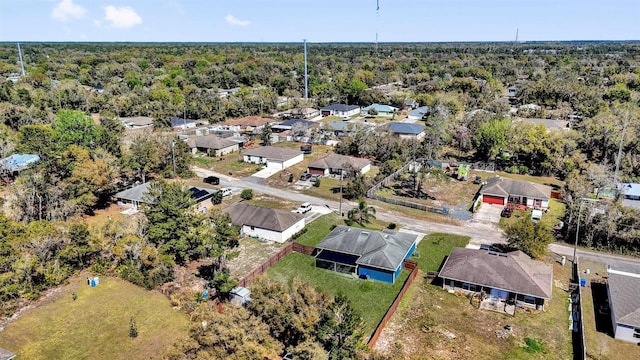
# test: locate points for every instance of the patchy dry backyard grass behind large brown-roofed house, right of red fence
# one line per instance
(433, 324)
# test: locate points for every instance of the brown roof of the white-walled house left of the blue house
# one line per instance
(261, 217)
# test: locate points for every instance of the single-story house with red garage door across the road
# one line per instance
(499, 190)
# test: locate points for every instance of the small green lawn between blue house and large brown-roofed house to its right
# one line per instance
(434, 247)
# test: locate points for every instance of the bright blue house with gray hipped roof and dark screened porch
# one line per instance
(378, 255)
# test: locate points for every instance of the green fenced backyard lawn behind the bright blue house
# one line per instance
(371, 298)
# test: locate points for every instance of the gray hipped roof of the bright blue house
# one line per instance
(385, 250)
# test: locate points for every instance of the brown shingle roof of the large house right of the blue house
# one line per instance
(514, 271)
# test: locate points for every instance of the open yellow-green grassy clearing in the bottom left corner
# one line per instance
(96, 324)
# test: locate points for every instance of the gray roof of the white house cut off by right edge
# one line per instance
(624, 292)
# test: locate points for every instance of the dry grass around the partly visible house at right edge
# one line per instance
(600, 345)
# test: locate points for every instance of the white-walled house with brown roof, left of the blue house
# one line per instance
(265, 223)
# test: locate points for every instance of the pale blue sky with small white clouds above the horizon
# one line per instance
(317, 21)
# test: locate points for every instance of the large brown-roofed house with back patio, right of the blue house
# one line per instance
(510, 276)
